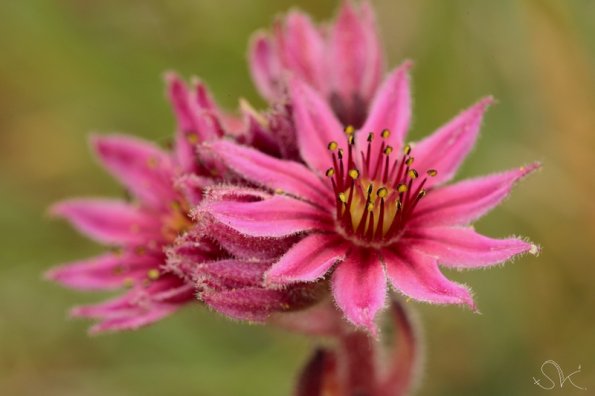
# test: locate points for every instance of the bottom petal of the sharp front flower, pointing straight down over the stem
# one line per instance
(359, 288)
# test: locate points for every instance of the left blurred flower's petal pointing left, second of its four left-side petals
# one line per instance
(109, 221)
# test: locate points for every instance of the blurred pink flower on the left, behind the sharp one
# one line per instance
(164, 186)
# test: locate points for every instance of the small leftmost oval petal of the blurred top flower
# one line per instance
(264, 66)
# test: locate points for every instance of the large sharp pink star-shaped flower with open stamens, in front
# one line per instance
(370, 208)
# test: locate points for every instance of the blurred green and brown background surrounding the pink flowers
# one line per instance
(69, 67)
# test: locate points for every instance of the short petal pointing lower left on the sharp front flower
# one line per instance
(308, 259)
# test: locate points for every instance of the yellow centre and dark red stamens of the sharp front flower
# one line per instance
(375, 199)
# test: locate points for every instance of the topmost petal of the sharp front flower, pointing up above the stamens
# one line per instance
(390, 109)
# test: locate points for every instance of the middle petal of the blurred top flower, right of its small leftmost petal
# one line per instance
(302, 49)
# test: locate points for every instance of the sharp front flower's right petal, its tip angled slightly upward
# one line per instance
(463, 202)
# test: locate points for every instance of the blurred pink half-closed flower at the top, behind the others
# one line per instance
(343, 61)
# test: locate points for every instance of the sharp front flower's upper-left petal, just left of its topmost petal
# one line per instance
(316, 124)
